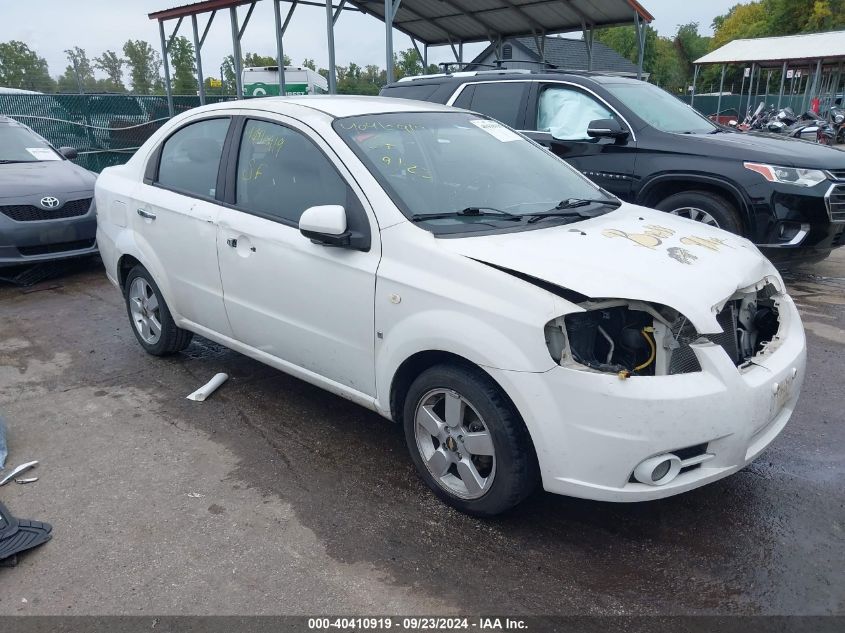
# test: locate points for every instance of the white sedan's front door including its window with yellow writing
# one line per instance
(307, 304)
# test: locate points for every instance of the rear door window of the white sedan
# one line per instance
(190, 158)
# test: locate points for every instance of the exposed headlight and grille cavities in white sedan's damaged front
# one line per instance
(635, 338)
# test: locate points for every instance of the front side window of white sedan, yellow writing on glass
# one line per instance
(281, 173)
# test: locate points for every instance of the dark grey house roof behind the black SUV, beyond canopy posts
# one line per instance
(563, 52)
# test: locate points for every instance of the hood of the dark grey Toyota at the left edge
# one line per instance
(51, 177)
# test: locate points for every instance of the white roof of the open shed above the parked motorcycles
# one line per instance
(811, 46)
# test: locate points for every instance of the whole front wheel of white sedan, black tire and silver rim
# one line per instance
(467, 441)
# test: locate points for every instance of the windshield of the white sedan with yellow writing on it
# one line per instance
(437, 163)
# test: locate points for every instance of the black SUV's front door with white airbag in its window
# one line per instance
(558, 118)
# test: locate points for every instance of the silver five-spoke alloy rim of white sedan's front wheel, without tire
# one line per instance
(455, 443)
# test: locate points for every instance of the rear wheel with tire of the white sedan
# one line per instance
(151, 320)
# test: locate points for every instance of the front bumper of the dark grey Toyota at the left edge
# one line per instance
(34, 241)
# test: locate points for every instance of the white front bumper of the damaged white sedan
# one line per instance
(591, 430)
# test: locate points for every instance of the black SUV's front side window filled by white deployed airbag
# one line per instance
(565, 113)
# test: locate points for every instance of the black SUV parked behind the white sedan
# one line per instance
(647, 147)
